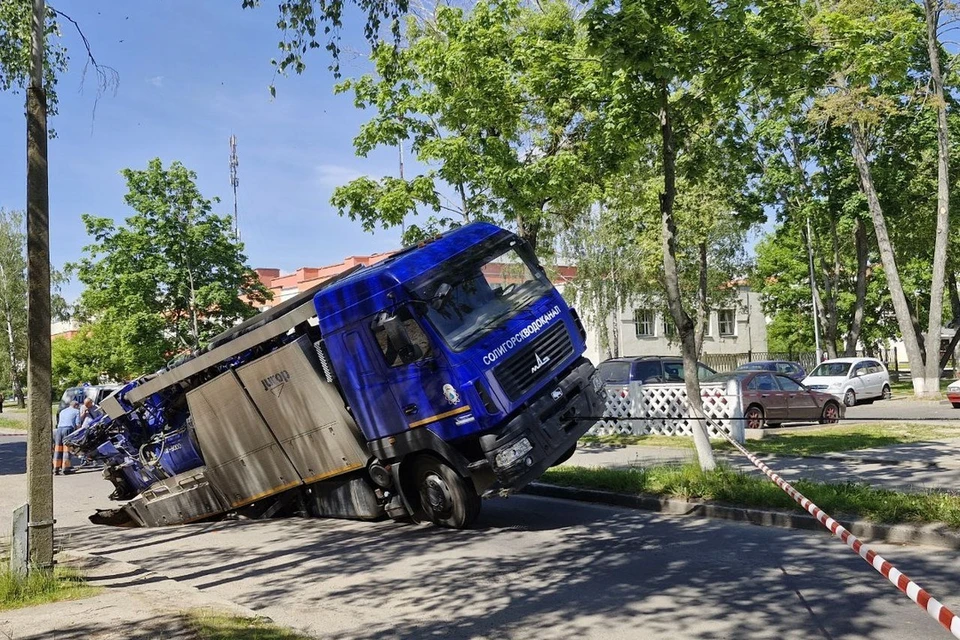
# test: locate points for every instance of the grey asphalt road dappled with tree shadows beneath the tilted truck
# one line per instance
(531, 568)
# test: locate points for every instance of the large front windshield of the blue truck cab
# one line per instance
(472, 293)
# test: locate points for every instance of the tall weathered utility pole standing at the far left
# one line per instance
(39, 463)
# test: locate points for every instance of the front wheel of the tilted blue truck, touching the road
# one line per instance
(446, 499)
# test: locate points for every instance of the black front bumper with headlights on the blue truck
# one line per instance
(549, 427)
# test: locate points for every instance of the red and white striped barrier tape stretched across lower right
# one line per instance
(924, 600)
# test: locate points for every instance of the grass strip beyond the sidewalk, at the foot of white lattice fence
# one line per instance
(805, 443)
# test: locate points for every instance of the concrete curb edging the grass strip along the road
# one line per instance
(934, 535)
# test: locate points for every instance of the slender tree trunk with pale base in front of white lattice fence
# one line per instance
(671, 278)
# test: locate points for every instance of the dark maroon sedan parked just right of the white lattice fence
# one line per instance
(773, 398)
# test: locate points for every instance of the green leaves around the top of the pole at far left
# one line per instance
(15, 26)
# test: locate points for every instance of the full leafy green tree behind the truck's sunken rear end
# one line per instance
(169, 279)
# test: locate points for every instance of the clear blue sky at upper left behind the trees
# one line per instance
(192, 73)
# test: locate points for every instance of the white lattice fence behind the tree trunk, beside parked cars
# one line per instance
(662, 409)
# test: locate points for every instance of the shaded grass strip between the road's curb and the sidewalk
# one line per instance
(730, 487)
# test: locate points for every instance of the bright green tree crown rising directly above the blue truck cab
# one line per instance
(498, 103)
